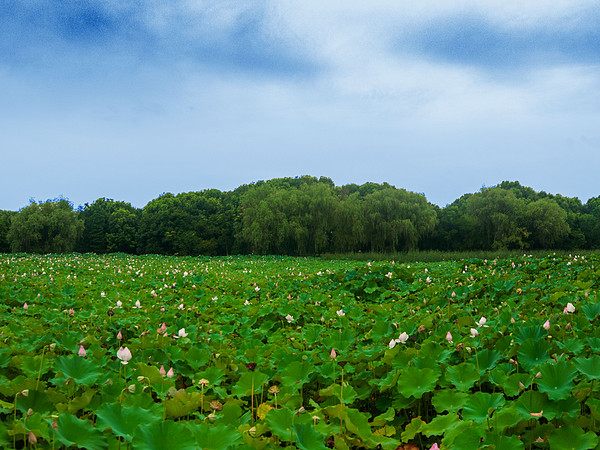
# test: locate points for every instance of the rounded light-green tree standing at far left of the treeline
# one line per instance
(50, 227)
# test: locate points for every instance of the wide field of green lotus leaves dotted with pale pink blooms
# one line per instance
(151, 352)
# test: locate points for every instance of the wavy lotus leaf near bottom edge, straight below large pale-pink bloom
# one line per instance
(123, 420)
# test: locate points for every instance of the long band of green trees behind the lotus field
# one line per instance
(306, 216)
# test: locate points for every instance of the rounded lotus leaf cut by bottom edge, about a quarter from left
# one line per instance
(162, 435)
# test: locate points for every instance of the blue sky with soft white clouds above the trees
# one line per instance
(128, 100)
